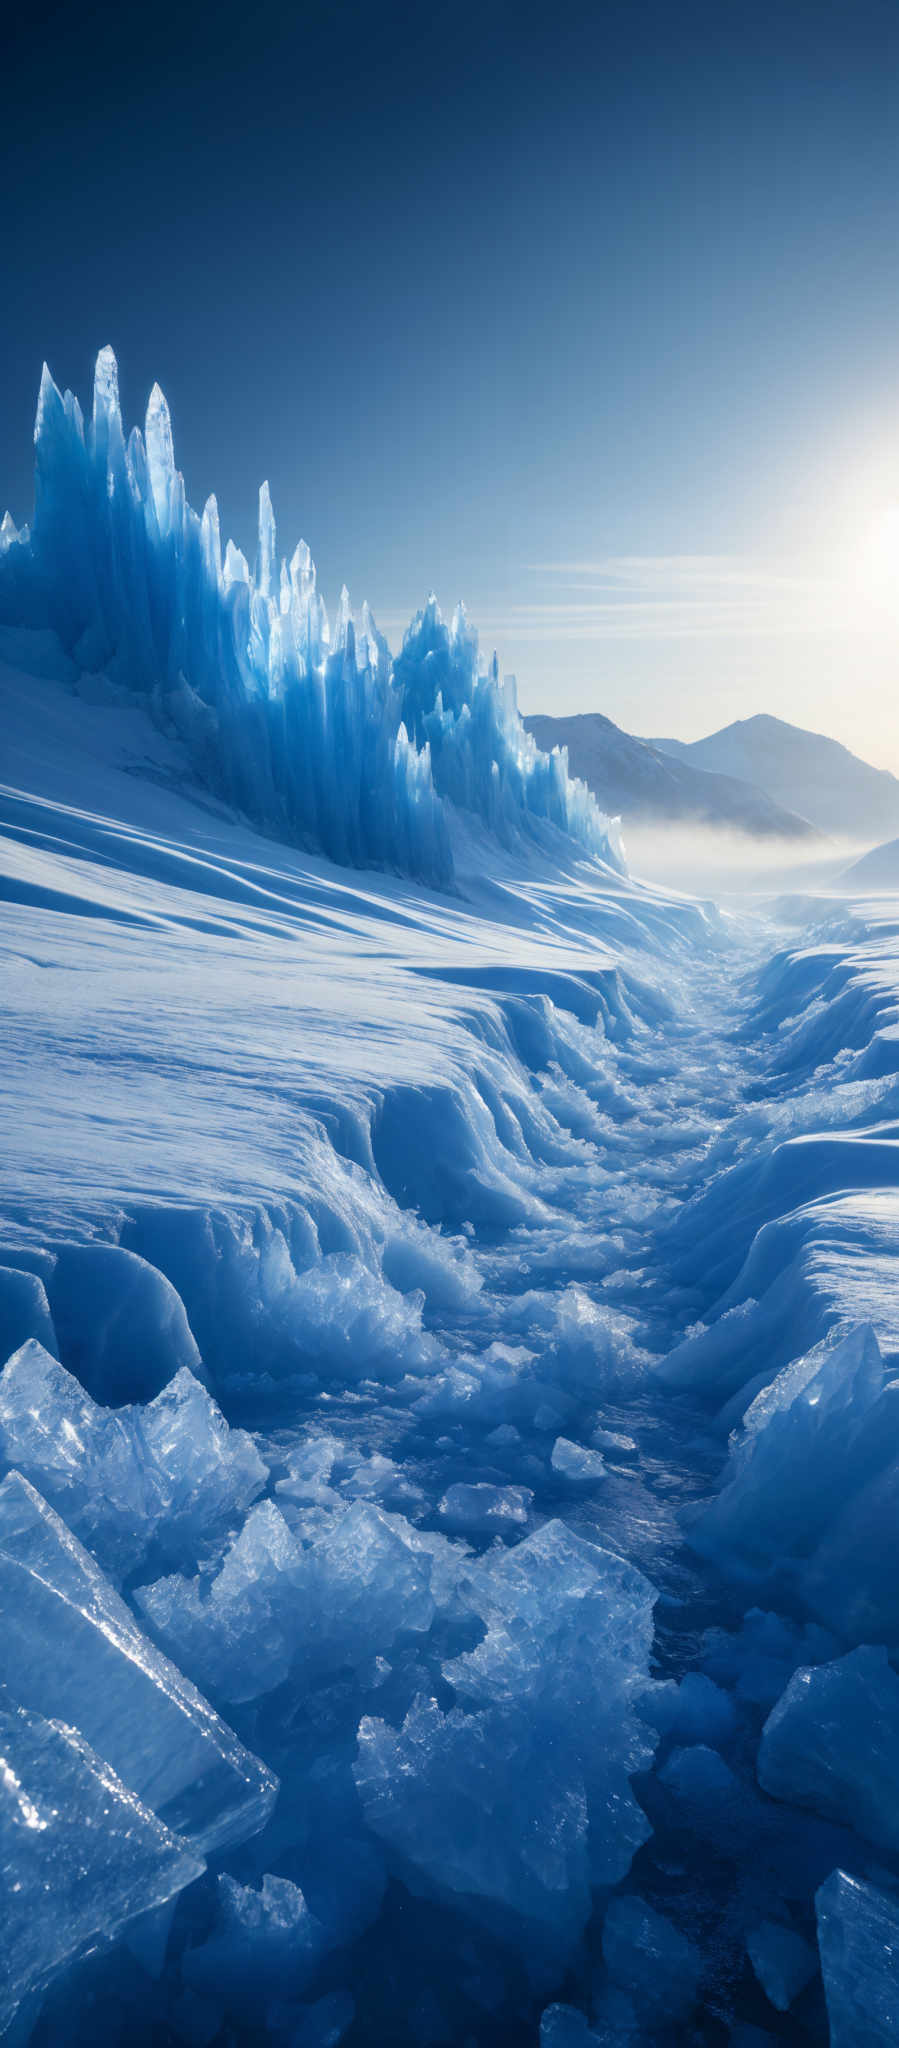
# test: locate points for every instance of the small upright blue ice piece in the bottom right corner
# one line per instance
(859, 1945)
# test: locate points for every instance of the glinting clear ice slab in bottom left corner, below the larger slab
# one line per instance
(79, 1854)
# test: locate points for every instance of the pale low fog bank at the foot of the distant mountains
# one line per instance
(716, 863)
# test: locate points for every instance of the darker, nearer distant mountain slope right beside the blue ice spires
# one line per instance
(648, 785)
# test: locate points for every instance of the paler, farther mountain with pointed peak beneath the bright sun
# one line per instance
(802, 771)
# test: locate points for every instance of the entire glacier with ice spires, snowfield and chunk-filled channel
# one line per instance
(449, 1465)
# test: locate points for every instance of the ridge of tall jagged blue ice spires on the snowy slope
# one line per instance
(318, 738)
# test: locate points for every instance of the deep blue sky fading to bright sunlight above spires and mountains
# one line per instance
(495, 288)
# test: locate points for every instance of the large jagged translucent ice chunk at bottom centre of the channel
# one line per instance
(525, 1797)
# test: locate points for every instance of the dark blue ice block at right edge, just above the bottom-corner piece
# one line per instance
(832, 1744)
